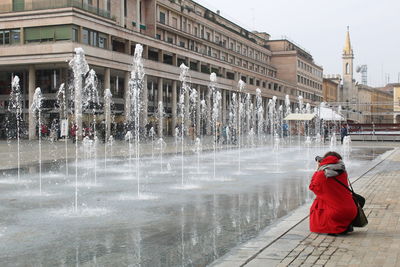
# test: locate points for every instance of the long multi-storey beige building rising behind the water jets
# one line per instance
(38, 37)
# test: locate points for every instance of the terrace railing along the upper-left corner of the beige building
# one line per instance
(51, 4)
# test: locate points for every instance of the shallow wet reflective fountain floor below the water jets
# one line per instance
(168, 225)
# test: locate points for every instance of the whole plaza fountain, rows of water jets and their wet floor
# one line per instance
(210, 221)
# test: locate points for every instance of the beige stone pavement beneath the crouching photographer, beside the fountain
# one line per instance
(290, 242)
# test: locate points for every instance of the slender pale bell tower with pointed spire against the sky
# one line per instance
(349, 92)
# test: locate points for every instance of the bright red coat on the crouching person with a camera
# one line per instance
(333, 208)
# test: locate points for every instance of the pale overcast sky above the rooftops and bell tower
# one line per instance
(319, 26)
